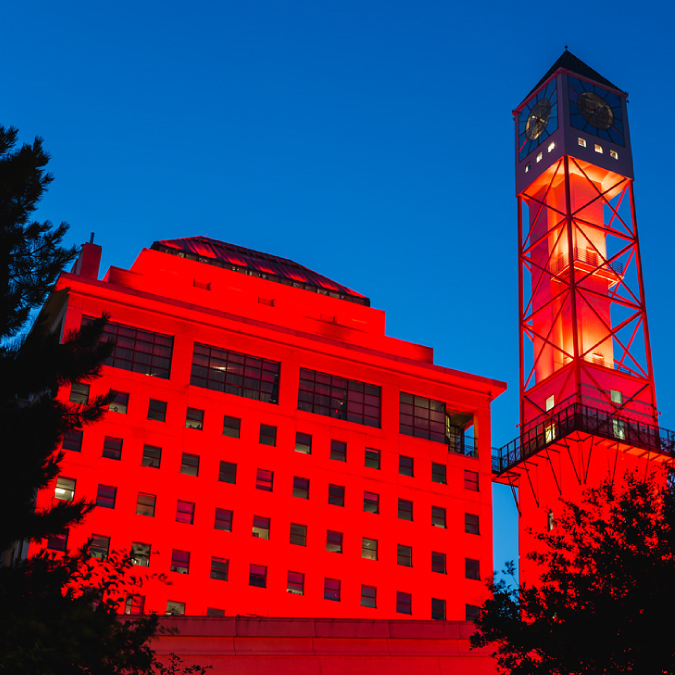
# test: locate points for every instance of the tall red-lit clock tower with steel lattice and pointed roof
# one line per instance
(587, 400)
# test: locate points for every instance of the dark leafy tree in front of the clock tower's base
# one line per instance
(606, 588)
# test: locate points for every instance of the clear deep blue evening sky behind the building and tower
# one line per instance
(371, 141)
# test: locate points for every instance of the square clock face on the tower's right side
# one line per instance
(596, 111)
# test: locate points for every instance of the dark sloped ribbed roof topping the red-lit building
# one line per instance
(255, 263)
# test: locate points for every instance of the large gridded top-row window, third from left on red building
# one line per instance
(339, 397)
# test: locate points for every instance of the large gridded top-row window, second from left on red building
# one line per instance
(234, 373)
